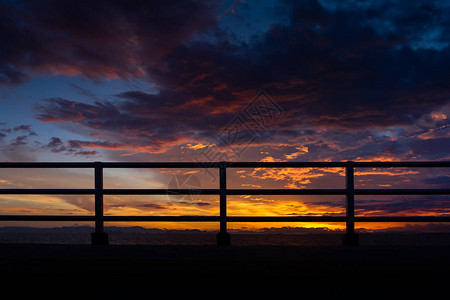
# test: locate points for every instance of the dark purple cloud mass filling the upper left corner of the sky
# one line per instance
(97, 39)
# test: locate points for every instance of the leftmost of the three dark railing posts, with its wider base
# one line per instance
(99, 237)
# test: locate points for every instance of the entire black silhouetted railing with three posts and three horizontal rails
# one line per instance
(223, 238)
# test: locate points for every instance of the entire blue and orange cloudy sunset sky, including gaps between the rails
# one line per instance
(316, 80)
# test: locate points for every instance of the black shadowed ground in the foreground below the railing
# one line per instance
(179, 270)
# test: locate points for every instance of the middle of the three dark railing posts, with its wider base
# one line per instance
(223, 237)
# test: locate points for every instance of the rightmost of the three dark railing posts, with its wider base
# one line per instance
(350, 238)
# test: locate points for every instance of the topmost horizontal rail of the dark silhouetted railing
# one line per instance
(343, 164)
